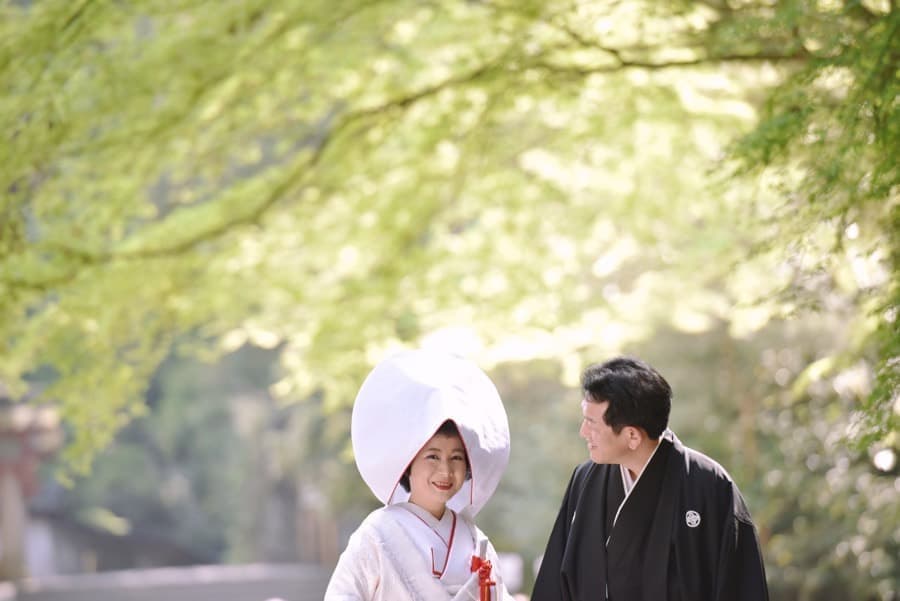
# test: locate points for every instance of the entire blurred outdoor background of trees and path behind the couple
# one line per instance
(216, 217)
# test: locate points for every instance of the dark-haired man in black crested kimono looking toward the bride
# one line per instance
(646, 519)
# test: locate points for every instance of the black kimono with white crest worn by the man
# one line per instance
(684, 534)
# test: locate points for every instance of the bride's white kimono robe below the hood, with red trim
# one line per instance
(389, 558)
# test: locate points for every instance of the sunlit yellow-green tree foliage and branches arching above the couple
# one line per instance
(521, 180)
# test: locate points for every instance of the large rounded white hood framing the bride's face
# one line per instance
(401, 404)
